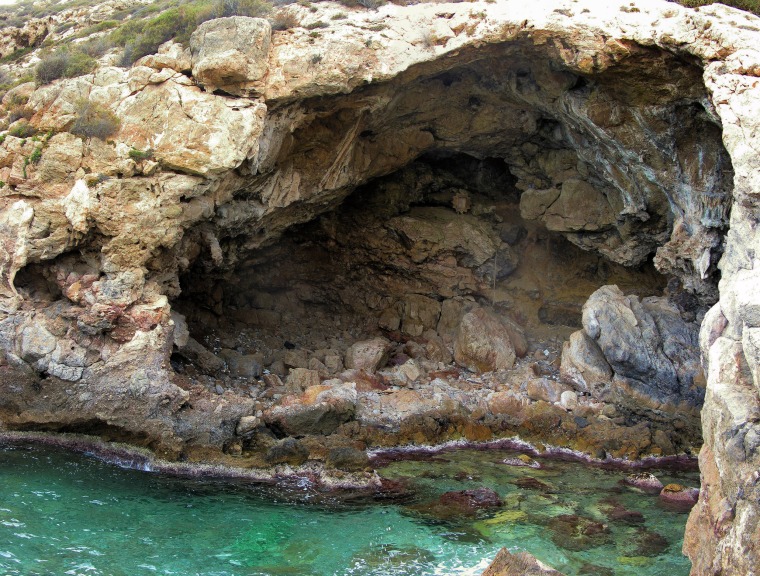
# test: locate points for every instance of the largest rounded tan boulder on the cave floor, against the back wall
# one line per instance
(482, 343)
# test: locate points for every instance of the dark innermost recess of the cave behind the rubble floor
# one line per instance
(401, 258)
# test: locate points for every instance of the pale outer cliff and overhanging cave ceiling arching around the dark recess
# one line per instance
(585, 104)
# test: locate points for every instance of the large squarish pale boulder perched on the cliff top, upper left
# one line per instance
(231, 54)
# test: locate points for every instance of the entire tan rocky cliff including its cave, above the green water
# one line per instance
(401, 213)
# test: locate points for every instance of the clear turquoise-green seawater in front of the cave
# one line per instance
(67, 514)
